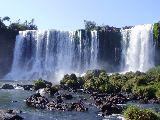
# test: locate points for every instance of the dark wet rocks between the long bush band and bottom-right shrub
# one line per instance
(108, 104)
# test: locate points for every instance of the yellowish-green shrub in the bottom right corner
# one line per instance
(135, 113)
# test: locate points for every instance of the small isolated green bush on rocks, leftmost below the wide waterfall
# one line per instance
(39, 83)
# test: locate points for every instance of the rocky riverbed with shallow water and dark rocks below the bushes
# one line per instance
(71, 104)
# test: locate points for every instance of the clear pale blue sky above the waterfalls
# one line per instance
(70, 14)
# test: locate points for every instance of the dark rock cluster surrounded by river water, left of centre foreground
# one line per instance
(38, 101)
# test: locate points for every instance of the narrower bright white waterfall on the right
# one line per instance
(137, 48)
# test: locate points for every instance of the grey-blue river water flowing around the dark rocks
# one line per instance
(29, 113)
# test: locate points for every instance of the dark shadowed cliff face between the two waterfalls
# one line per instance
(110, 50)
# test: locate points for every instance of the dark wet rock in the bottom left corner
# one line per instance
(10, 115)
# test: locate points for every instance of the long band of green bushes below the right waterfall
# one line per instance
(139, 83)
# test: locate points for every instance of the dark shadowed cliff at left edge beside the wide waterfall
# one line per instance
(7, 43)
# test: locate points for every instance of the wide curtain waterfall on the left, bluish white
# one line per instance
(45, 53)
